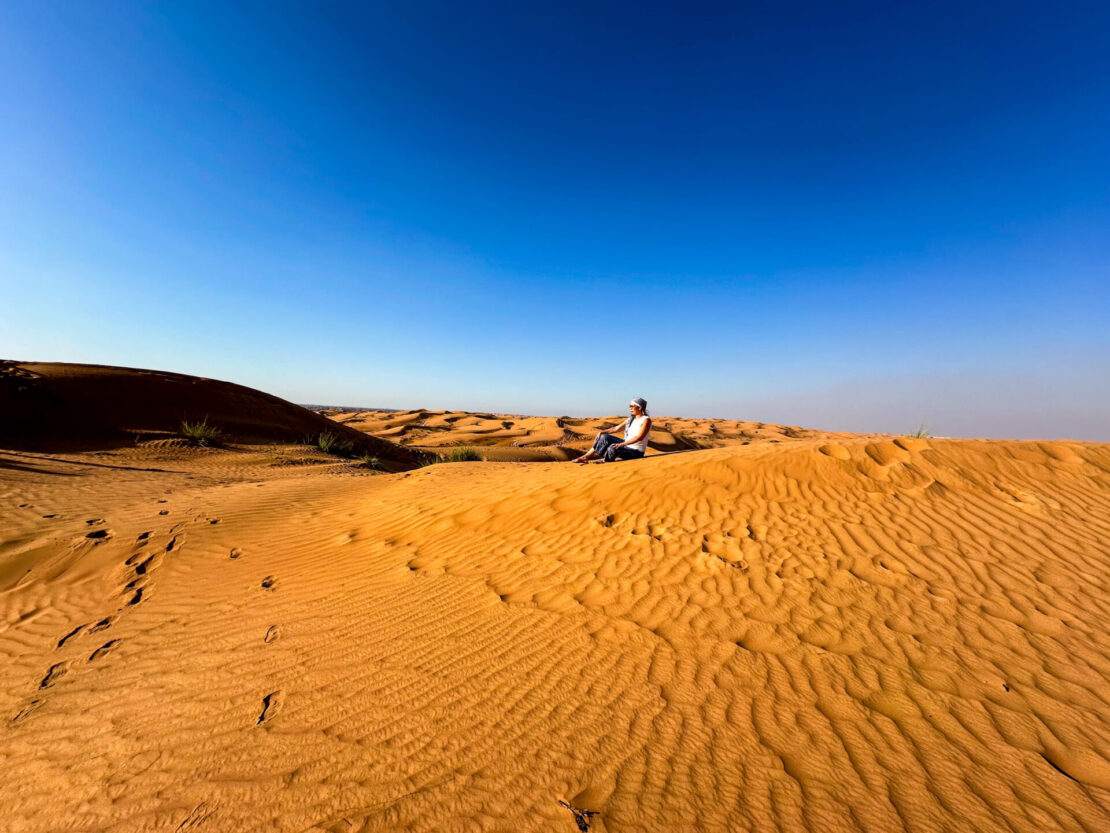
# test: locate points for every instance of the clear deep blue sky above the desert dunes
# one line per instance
(844, 216)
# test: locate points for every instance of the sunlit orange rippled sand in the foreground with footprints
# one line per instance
(813, 636)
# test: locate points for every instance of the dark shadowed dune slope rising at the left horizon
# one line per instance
(59, 406)
